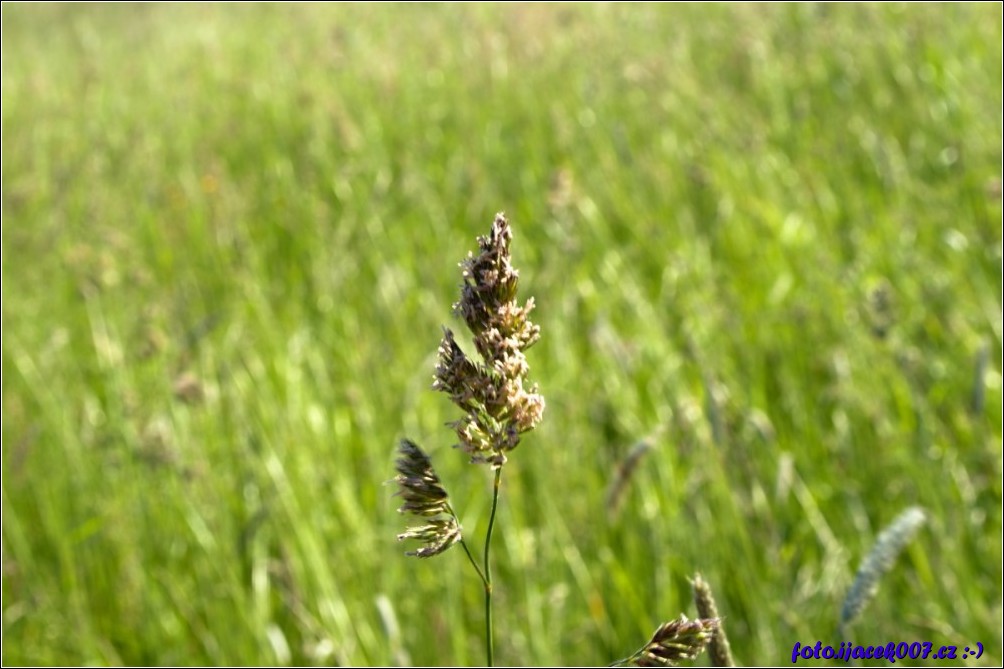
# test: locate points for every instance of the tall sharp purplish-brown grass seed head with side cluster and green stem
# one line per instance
(498, 407)
